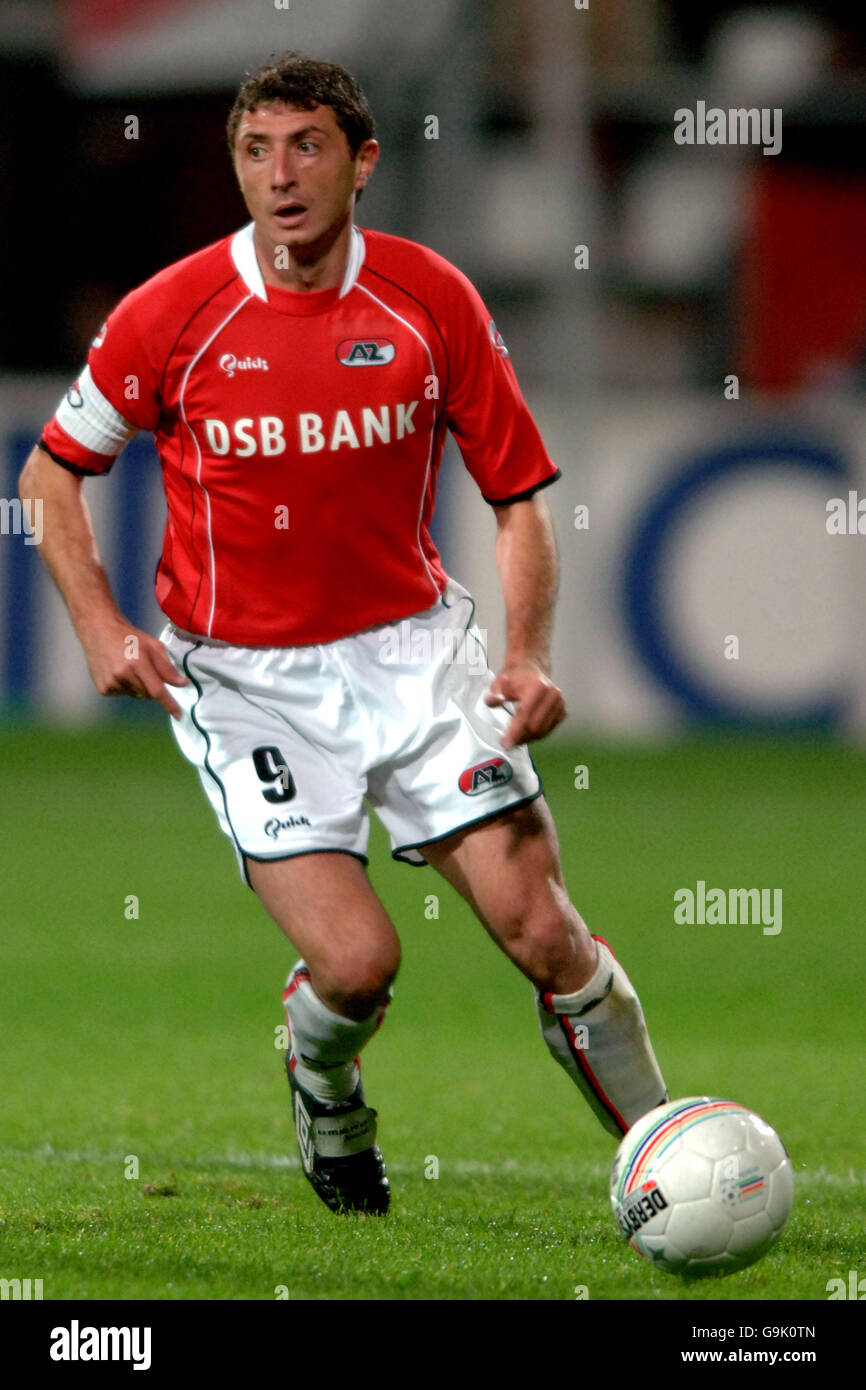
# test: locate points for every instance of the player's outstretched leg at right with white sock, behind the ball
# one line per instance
(509, 872)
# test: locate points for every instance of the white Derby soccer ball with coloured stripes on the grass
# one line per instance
(701, 1186)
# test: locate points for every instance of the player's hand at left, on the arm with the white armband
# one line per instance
(124, 661)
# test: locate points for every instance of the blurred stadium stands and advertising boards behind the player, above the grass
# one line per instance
(707, 515)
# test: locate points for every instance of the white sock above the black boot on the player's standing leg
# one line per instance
(325, 1045)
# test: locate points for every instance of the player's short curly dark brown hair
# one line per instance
(305, 83)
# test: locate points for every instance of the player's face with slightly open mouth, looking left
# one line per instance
(297, 173)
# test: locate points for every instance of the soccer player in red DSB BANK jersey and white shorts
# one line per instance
(300, 377)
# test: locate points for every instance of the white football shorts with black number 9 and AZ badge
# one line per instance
(291, 740)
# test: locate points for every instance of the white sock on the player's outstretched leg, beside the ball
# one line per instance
(598, 1035)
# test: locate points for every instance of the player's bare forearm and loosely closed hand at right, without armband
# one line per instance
(528, 565)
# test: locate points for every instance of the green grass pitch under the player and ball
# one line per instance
(152, 1039)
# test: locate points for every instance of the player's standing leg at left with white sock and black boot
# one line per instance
(336, 1000)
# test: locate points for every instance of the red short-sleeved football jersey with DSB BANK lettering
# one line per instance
(301, 433)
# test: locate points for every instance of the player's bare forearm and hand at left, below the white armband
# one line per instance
(123, 660)
